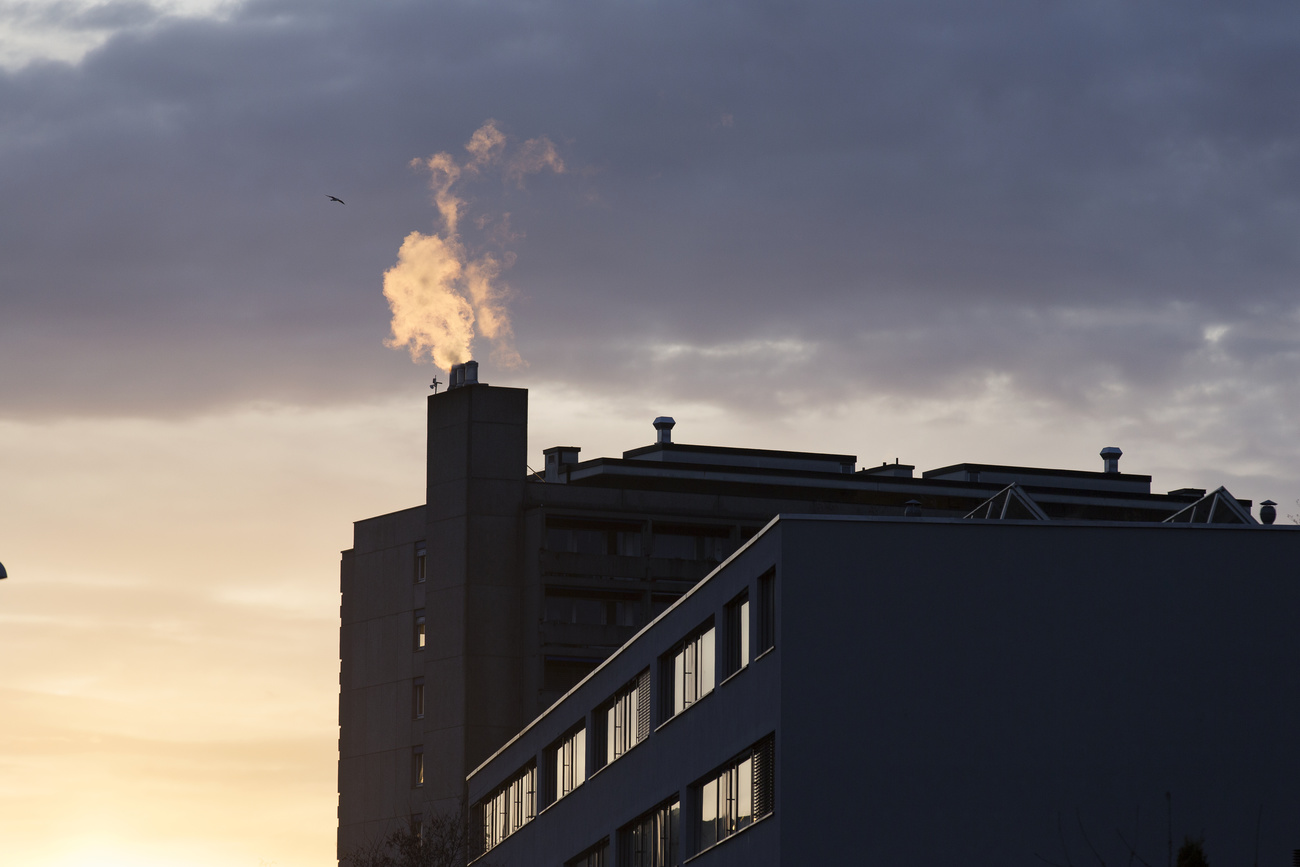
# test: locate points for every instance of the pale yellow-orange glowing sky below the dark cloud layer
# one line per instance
(170, 628)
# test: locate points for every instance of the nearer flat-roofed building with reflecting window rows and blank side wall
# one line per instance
(886, 691)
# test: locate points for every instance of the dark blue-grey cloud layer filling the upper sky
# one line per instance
(908, 197)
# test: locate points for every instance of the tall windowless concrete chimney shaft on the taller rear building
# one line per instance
(475, 667)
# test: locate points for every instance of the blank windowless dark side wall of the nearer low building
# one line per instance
(952, 690)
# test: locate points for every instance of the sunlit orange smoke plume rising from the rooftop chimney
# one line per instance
(441, 294)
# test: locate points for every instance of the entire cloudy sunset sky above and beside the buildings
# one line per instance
(930, 231)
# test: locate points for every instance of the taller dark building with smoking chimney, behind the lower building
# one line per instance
(467, 617)
